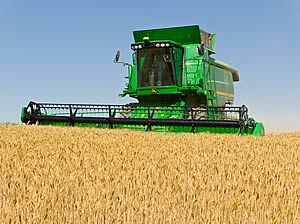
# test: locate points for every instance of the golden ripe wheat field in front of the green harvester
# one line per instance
(80, 175)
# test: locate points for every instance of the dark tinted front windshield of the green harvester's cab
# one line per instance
(155, 67)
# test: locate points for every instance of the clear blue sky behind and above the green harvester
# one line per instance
(62, 50)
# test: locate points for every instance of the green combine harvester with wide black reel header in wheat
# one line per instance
(178, 85)
